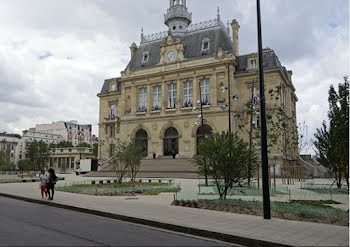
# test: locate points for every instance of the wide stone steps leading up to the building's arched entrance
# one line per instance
(163, 167)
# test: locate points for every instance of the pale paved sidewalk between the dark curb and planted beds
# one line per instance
(156, 211)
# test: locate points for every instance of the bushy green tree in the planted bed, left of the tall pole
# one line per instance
(228, 158)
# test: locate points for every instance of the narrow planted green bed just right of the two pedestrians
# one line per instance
(123, 189)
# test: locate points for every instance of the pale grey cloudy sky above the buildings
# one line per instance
(55, 55)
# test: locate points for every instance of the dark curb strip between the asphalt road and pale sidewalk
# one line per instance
(176, 228)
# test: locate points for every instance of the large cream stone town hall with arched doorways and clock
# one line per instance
(158, 98)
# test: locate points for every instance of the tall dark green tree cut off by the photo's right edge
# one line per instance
(332, 142)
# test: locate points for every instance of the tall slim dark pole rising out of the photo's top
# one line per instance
(264, 156)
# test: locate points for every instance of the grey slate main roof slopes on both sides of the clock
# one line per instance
(192, 47)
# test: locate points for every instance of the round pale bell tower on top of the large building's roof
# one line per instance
(177, 17)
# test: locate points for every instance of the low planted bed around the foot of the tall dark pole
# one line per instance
(311, 211)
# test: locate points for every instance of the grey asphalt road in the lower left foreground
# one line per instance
(28, 224)
